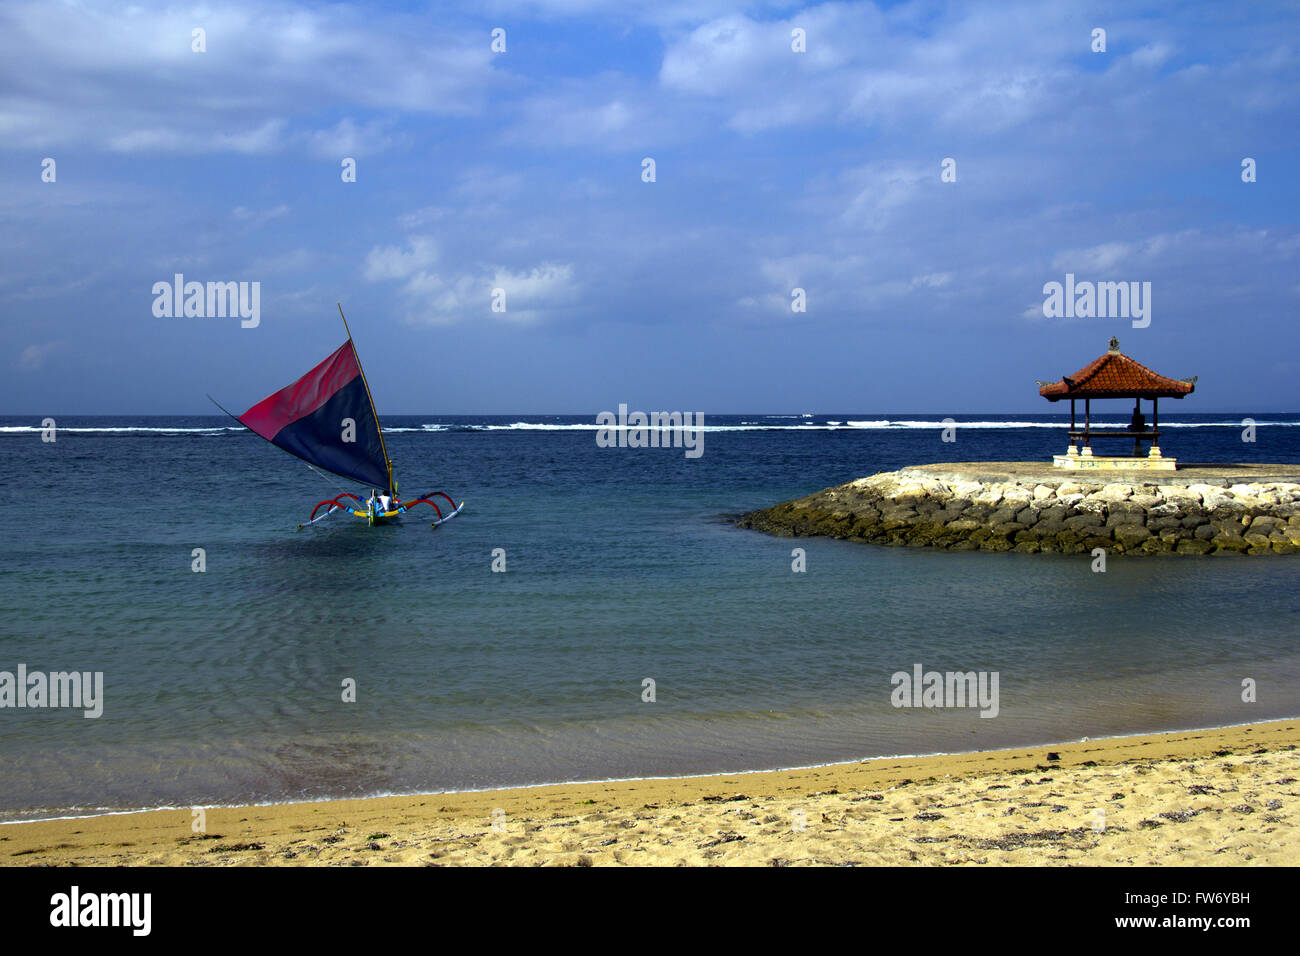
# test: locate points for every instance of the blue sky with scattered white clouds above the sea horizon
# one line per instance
(525, 170)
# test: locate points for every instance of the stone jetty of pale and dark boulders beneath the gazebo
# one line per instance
(1030, 508)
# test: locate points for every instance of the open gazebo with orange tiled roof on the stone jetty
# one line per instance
(1115, 375)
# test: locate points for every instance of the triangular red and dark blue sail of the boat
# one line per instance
(327, 418)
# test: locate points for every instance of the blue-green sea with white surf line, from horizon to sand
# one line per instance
(227, 686)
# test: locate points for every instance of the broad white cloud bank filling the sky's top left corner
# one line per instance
(128, 80)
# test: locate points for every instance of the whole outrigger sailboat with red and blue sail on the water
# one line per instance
(328, 419)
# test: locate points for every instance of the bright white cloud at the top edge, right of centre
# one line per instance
(968, 72)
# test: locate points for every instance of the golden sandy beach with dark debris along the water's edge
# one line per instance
(1219, 798)
